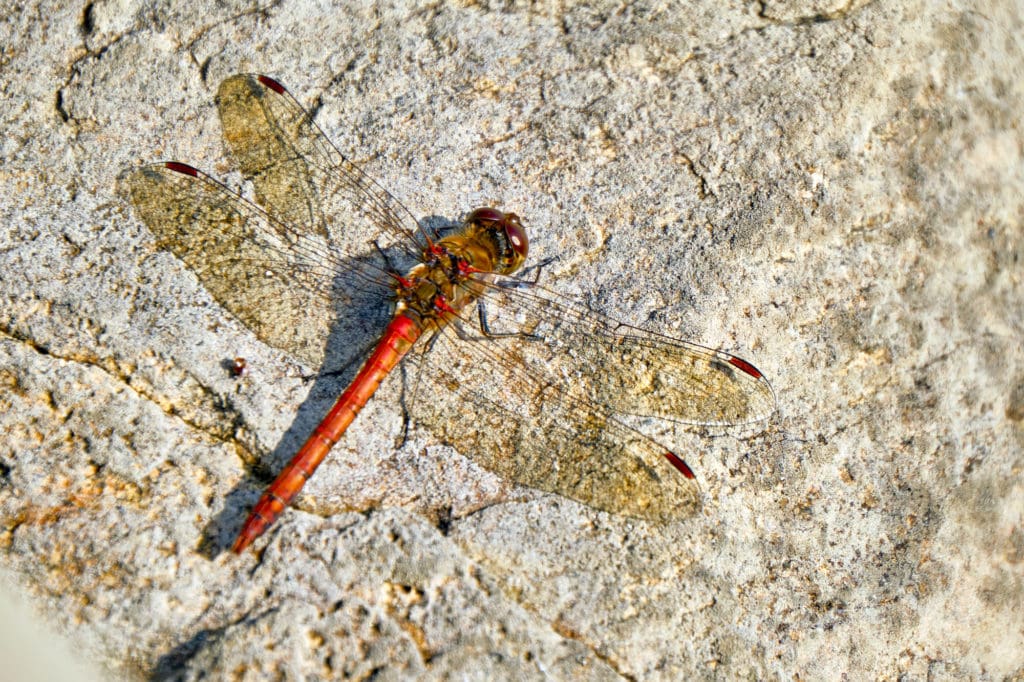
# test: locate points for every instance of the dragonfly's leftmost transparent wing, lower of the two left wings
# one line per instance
(287, 295)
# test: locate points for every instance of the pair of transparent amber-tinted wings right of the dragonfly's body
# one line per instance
(543, 400)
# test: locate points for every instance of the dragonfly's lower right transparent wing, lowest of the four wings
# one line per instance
(511, 422)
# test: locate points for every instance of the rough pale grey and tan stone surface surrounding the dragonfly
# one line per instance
(834, 190)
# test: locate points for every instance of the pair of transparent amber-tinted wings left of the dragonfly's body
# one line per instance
(308, 267)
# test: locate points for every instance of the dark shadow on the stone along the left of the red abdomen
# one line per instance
(363, 310)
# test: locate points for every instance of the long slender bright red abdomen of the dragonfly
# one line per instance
(400, 336)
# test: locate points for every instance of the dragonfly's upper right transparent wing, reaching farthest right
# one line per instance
(629, 370)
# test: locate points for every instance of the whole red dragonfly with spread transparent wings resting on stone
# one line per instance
(533, 387)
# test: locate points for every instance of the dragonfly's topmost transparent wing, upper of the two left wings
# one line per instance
(302, 179)
